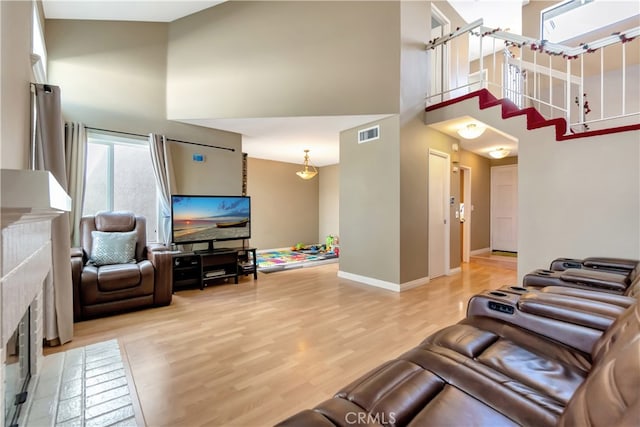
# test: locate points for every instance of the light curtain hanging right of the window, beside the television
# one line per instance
(165, 183)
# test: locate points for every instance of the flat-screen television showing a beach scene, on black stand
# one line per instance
(210, 218)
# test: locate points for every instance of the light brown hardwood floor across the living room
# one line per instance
(254, 353)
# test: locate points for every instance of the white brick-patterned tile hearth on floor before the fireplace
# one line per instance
(83, 387)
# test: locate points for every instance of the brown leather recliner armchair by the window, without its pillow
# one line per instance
(100, 290)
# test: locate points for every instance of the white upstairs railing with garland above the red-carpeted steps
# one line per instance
(589, 85)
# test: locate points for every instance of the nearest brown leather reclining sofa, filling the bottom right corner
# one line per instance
(521, 357)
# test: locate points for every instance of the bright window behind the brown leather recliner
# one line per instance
(120, 177)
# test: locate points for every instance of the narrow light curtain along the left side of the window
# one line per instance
(75, 147)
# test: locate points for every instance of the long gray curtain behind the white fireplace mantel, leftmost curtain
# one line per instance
(49, 155)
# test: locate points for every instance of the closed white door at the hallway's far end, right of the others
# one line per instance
(504, 208)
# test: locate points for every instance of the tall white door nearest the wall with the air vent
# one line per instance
(438, 214)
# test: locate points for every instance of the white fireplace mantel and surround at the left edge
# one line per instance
(29, 201)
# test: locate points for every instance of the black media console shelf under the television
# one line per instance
(200, 269)
